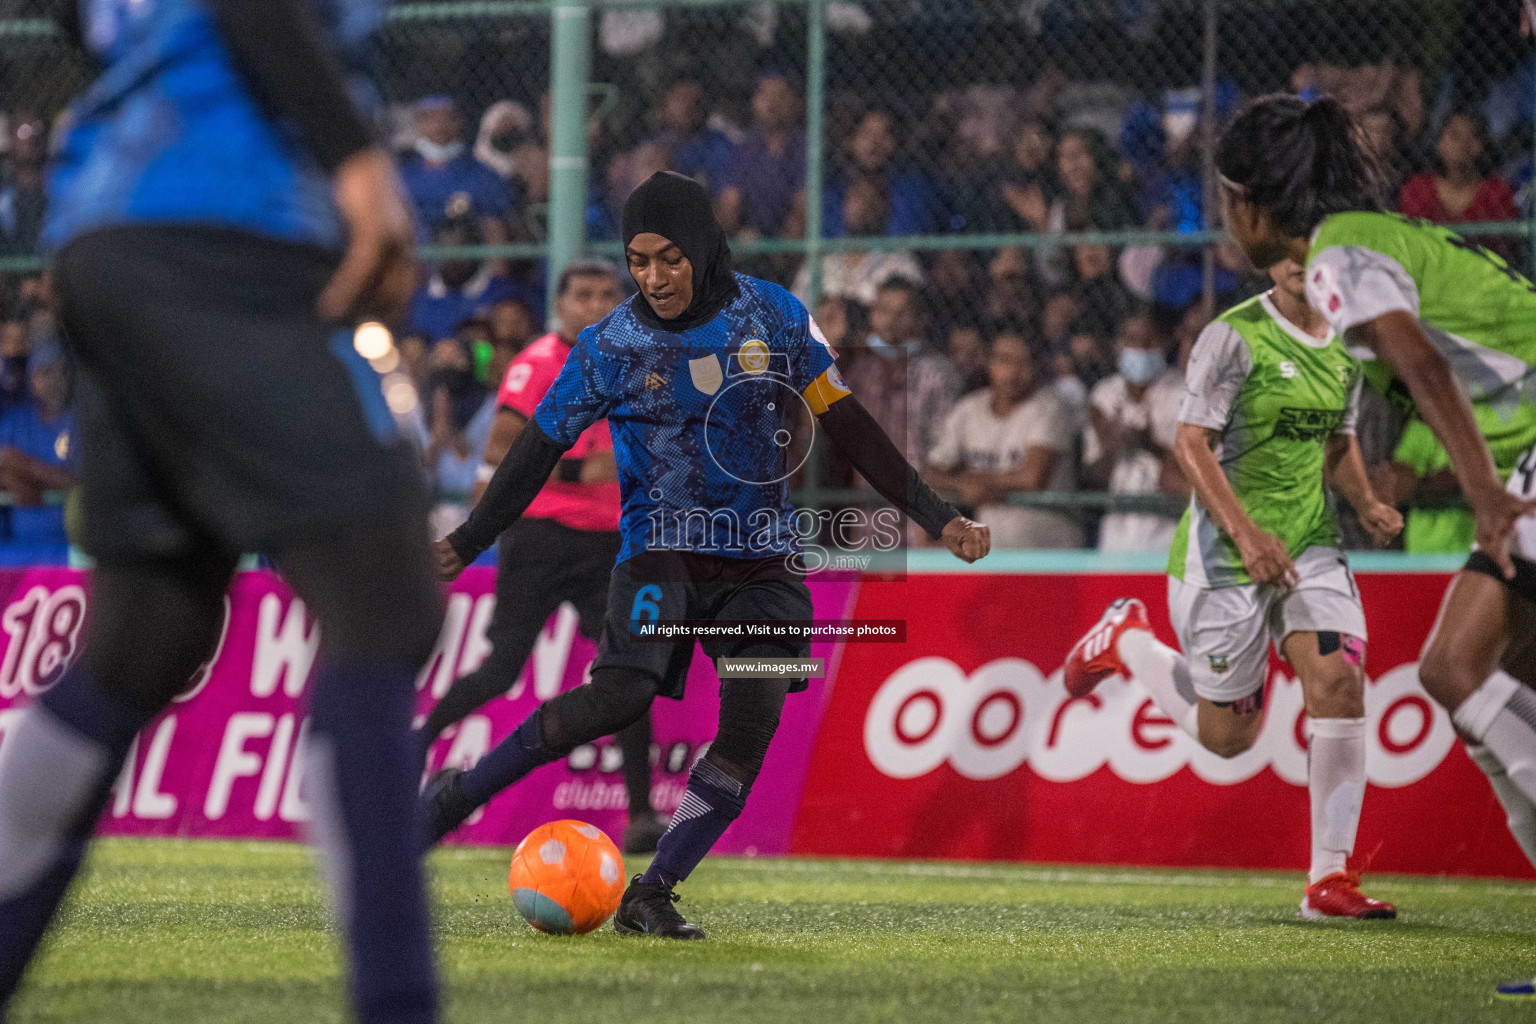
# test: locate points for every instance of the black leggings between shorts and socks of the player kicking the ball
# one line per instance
(750, 710)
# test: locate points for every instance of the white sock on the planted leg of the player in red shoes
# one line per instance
(1337, 785)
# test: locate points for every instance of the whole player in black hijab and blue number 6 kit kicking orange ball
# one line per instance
(698, 375)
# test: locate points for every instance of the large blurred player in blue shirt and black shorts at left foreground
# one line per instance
(222, 217)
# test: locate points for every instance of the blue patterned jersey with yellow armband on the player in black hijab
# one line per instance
(701, 420)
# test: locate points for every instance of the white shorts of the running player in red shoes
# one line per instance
(1226, 632)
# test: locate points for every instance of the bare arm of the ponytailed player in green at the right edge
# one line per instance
(1399, 339)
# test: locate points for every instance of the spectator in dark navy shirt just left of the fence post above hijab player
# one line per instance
(764, 194)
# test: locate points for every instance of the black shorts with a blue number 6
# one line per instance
(677, 586)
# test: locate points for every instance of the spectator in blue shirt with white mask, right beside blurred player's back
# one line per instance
(446, 180)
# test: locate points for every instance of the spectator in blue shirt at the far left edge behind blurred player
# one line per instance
(38, 455)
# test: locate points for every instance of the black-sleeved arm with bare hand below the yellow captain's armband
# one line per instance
(876, 457)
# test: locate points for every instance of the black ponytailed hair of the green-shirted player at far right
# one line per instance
(1299, 160)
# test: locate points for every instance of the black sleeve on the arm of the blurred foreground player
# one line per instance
(279, 50)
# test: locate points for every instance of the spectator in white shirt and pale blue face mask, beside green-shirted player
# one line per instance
(1133, 417)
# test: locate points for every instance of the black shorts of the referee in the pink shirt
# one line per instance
(541, 564)
